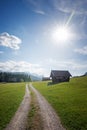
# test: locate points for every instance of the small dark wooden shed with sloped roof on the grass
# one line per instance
(60, 76)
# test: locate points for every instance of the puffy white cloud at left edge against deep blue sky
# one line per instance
(10, 41)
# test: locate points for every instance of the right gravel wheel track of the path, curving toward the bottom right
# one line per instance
(50, 119)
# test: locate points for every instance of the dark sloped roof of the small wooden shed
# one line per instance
(60, 73)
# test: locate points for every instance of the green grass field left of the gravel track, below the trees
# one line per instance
(11, 95)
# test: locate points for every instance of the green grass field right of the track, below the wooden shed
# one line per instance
(69, 100)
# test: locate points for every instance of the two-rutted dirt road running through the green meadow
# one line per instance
(48, 119)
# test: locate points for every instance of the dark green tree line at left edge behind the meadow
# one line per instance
(14, 77)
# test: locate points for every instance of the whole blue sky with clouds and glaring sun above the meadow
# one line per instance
(38, 36)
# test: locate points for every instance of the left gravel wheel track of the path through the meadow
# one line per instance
(19, 121)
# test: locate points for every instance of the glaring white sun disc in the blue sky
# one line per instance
(61, 34)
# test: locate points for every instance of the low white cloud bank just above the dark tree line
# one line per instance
(21, 66)
